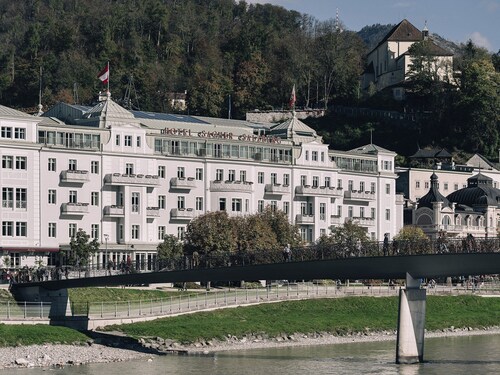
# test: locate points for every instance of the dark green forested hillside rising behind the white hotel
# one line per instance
(249, 55)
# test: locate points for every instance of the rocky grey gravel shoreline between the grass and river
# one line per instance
(121, 349)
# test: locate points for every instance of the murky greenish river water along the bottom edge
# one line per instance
(465, 355)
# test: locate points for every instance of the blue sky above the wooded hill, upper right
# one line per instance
(455, 20)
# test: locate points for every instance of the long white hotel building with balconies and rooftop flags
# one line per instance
(129, 177)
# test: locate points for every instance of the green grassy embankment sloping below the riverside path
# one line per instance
(339, 316)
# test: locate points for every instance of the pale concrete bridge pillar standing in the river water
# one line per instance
(411, 322)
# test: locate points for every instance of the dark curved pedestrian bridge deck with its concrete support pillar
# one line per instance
(412, 268)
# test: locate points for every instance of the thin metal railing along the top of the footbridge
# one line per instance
(320, 251)
